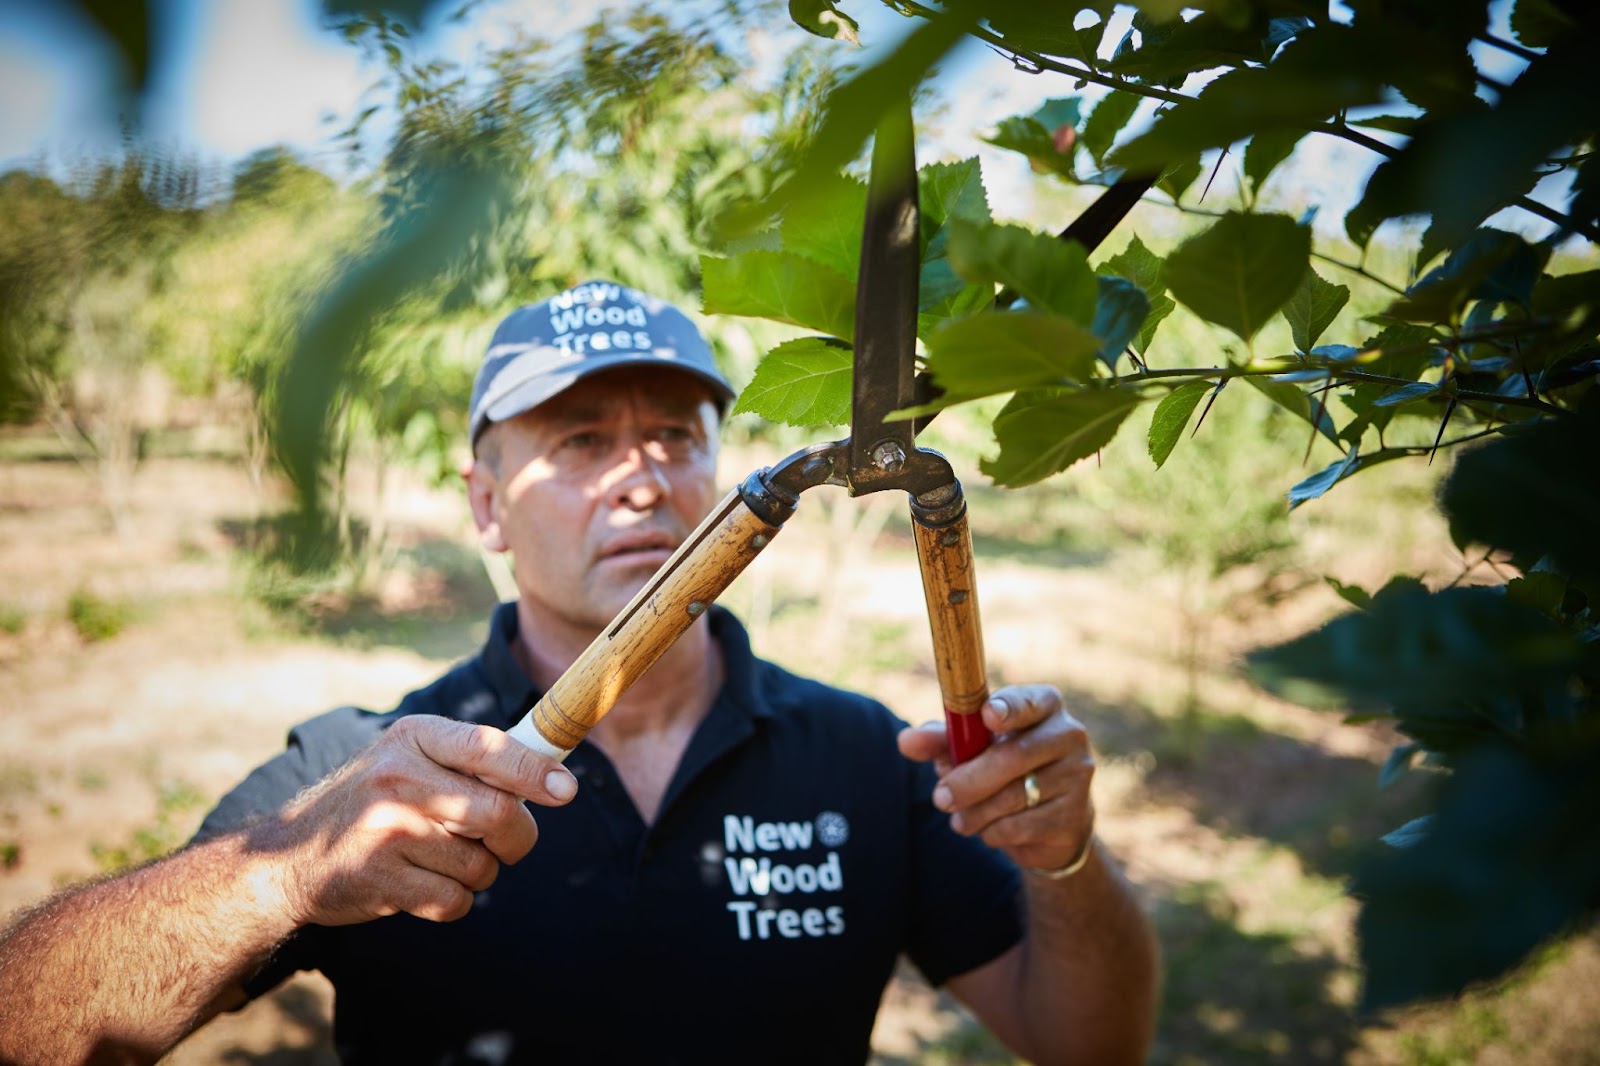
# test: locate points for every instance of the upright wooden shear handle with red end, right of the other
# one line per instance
(951, 590)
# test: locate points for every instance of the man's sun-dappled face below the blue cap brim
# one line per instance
(598, 487)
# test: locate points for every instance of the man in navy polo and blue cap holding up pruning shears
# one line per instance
(730, 864)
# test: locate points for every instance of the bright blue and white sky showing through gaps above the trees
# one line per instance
(247, 74)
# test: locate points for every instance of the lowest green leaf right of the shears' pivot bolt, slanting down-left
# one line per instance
(1046, 431)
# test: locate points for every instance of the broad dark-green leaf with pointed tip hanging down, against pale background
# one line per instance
(1242, 271)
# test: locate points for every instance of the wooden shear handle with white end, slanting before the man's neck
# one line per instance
(706, 564)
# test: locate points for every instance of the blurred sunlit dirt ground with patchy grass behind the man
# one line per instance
(1238, 825)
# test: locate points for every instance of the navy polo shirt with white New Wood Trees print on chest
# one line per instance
(758, 920)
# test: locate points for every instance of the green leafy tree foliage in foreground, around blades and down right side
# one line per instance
(1486, 174)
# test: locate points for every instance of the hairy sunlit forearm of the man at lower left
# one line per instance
(124, 969)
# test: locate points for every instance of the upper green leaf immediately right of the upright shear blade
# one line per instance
(1050, 275)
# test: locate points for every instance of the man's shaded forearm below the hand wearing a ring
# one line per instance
(1089, 976)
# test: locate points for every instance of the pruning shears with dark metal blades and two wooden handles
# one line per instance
(878, 455)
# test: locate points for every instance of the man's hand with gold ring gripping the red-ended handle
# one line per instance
(1030, 793)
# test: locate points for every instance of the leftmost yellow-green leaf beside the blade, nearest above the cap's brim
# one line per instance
(780, 286)
